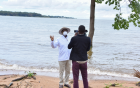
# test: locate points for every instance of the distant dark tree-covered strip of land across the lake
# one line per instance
(30, 14)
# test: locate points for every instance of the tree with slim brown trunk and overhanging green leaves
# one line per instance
(119, 21)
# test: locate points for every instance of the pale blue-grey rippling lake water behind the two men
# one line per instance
(25, 45)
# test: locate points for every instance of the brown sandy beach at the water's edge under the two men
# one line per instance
(53, 82)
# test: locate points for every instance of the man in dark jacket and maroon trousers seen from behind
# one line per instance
(80, 44)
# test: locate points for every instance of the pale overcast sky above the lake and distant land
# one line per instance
(71, 8)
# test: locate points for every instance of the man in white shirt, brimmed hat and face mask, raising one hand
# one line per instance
(64, 55)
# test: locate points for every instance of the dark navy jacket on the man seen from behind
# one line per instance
(81, 44)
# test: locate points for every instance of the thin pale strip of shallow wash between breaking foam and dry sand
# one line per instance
(56, 74)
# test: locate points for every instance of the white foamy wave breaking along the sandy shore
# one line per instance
(48, 72)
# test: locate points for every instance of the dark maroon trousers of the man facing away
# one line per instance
(83, 68)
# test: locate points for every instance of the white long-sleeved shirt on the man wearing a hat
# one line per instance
(62, 43)
